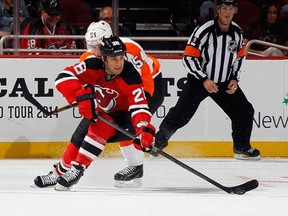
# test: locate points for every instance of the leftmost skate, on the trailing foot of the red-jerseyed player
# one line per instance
(48, 180)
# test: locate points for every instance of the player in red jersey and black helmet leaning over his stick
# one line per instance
(119, 97)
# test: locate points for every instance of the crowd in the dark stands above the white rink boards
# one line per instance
(73, 15)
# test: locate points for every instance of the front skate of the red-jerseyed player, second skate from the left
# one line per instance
(71, 177)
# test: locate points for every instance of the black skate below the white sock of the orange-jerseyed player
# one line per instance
(129, 177)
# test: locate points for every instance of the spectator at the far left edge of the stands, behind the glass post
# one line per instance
(7, 16)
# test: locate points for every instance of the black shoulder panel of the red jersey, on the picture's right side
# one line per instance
(130, 75)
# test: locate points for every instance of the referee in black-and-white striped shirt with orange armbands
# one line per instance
(213, 57)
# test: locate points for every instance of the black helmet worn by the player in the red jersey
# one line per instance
(112, 46)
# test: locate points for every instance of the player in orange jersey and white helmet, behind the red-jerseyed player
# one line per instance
(149, 69)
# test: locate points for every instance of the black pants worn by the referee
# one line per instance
(236, 106)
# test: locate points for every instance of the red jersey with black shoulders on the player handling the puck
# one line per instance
(113, 93)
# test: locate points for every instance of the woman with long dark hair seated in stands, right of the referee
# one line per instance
(267, 28)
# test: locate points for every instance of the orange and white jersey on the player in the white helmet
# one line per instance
(148, 66)
